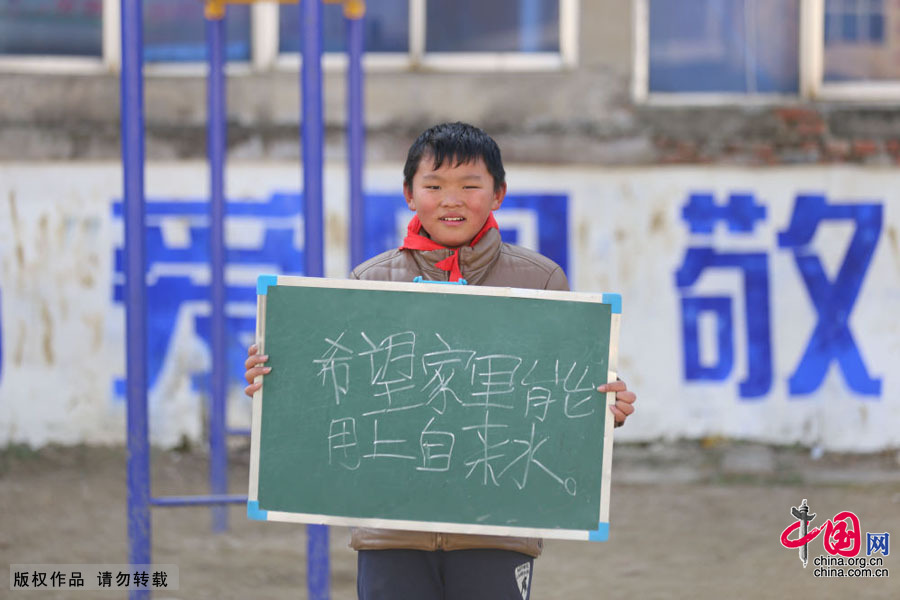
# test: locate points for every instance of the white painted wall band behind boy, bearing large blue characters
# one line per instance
(63, 340)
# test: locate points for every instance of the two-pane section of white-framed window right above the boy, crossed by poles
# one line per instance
(445, 34)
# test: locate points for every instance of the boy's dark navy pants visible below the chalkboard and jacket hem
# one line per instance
(440, 575)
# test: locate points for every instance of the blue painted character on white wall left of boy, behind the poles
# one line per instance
(178, 271)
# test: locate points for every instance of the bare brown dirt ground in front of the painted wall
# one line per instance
(688, 520)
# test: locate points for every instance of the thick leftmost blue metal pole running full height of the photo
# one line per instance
(132, 101)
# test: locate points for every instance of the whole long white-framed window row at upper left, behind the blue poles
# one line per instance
(62, 35)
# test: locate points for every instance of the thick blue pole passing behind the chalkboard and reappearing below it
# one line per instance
(312, 139)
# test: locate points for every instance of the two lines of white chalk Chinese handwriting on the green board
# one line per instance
(484, 393)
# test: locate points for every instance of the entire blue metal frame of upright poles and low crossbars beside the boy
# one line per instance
(312, 135)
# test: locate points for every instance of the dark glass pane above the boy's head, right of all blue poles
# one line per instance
(492, 26)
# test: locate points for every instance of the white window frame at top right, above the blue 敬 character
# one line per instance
(811, 56)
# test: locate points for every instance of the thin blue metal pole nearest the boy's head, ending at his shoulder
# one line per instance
(356, 134)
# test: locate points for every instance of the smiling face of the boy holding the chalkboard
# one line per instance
(453, 202)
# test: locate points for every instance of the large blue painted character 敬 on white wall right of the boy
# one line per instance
(831, 340)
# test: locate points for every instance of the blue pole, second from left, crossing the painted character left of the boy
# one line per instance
(215, 139)
